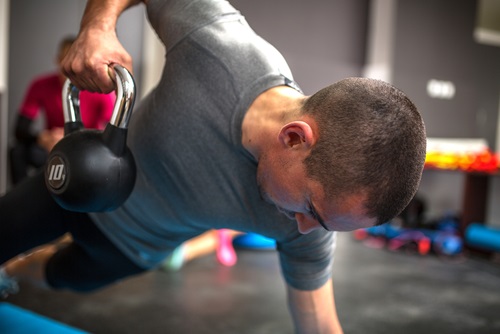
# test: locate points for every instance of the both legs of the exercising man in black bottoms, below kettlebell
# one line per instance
(29, 217)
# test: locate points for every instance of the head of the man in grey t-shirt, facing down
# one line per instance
(351, 157)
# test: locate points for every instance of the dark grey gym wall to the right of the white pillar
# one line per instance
(434, 40)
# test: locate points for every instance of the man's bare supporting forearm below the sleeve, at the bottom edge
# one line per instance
(314, 311)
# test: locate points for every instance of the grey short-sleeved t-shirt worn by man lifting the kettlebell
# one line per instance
(193, 172)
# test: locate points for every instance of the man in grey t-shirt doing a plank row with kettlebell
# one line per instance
(225, 139)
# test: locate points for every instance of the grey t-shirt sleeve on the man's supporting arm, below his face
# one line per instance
(307, 260)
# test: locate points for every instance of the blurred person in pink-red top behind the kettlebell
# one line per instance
(44, 95)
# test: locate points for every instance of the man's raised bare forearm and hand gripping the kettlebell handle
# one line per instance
(97, 46)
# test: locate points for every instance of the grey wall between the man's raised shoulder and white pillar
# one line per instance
(322, 40)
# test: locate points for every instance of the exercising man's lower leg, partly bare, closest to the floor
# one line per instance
(67, 264)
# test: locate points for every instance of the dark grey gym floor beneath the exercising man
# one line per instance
(377, 291)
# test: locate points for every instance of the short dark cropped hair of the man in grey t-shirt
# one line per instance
(371, 140)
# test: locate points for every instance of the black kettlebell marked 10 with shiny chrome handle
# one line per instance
(90, 170)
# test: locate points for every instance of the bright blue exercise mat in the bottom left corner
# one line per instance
(16, 320)
